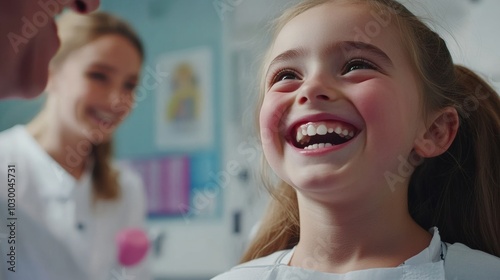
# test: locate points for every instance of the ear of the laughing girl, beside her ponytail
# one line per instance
(437, 137)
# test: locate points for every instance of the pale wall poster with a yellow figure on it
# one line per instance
(184, 114)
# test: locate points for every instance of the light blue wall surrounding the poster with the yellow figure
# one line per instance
(166, 26)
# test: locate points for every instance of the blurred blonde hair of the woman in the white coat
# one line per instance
(75, 31)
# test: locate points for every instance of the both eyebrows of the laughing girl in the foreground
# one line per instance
(345, 47)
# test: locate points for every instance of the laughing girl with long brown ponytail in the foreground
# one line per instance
(387, 152)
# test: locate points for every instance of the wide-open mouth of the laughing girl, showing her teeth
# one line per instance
(322, 134)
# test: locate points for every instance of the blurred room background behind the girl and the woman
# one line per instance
(201, 166)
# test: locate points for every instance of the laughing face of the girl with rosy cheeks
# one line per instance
(340, 109)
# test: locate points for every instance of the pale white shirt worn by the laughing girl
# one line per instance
(439, 261)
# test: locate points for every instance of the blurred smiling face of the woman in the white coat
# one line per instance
(94, 87)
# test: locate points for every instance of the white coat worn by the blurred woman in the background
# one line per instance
(60, 233)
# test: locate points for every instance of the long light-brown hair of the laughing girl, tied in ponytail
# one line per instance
(458, 191)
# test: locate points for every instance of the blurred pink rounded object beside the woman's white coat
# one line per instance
(132, 244)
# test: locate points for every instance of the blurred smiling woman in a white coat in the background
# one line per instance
(68, 200)
